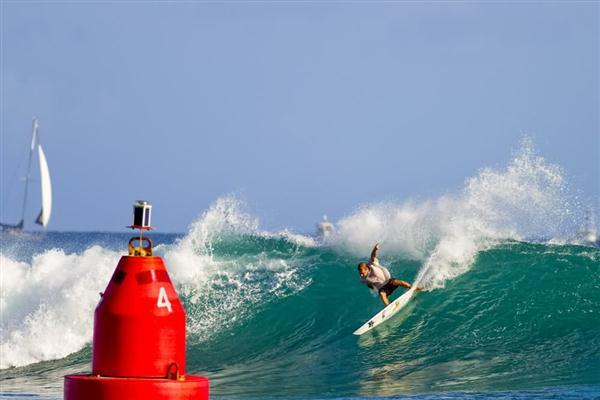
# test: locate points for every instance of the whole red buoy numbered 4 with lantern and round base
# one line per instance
(139, 333)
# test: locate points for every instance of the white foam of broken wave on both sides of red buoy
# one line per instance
(47, 305)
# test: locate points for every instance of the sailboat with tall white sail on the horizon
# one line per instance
(46, 185)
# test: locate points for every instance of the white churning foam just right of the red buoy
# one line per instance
(222, 290)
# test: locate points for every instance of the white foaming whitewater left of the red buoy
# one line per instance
(47, 306)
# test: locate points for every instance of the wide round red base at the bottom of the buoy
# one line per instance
(92, 387)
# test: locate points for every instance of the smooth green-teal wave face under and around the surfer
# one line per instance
(524, 315)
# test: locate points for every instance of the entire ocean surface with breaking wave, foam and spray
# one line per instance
(511, 308)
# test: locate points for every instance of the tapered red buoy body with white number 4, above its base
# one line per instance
(141, 308)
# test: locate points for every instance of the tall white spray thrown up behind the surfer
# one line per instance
(527, 200)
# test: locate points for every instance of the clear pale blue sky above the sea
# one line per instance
(300, 108)
